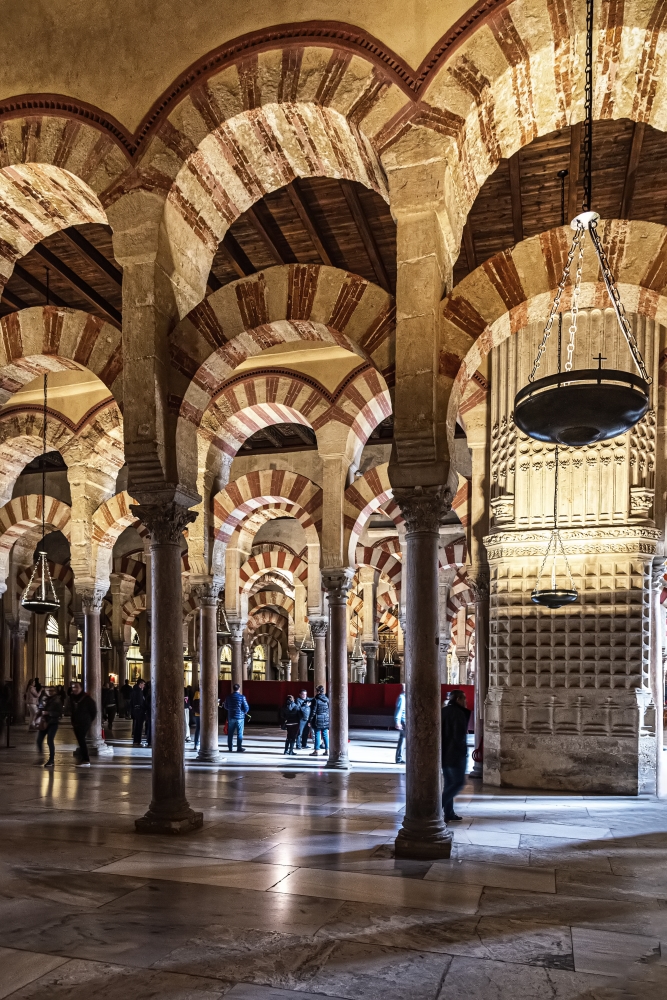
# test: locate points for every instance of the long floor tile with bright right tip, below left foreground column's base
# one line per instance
(207, 871)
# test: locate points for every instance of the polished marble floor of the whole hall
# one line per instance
(291, 889)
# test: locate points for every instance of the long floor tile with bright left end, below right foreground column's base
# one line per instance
(379, 889)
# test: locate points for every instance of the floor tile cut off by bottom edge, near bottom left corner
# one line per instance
(80, 980)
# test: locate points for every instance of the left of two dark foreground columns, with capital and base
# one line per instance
(169, 811)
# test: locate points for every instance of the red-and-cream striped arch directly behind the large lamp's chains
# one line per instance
(516, 288)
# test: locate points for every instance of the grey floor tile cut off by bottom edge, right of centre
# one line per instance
(479, 979)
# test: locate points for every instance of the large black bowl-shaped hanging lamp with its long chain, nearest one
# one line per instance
(578, 407)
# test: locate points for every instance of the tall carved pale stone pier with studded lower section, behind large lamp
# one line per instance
(569, 705)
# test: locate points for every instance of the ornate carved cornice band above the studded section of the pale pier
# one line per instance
(577, 541)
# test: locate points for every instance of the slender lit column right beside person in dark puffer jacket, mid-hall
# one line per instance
(337, 583)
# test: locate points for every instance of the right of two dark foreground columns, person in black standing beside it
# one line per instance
(423, 833)
